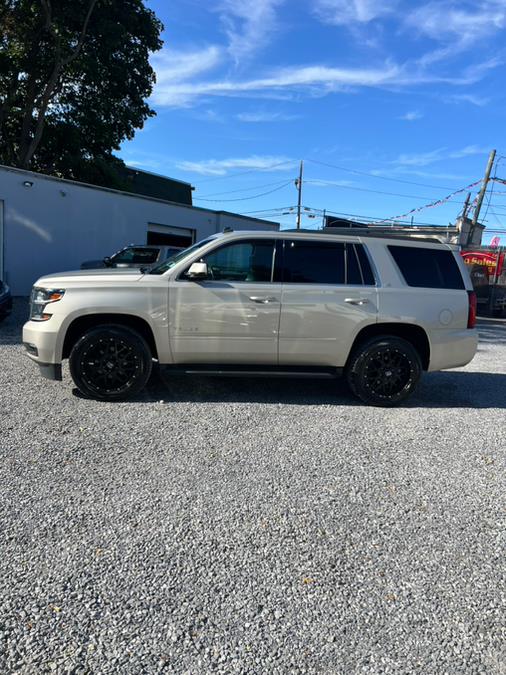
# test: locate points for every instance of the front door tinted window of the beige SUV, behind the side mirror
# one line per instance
(242, 261)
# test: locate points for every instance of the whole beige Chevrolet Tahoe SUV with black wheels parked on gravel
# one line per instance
(380, 310)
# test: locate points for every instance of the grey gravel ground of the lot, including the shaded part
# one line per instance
(250, 526)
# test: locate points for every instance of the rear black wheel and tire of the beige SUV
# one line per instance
(384, 370)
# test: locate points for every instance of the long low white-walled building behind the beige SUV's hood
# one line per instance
(51, 225)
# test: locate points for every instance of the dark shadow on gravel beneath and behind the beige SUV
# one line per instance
(447, 389)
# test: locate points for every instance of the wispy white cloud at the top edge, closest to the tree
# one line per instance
(248, 25)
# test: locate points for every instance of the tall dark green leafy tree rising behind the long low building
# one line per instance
(74, 78)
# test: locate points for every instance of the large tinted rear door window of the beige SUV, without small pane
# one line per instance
(313, 262)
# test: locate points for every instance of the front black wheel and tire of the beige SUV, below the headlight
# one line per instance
(110, 363)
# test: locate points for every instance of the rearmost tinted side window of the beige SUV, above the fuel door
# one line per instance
(427, 267)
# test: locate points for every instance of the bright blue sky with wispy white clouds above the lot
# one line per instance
(392, 105)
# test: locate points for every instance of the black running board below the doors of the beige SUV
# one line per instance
(261, 371)
